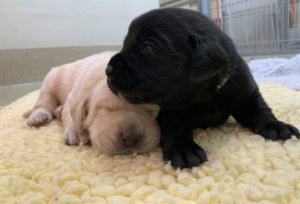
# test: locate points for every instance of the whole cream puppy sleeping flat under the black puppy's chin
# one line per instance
(77, 93)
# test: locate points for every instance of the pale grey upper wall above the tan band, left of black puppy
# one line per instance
(66, 23)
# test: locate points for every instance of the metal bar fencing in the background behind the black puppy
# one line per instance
(256, 26)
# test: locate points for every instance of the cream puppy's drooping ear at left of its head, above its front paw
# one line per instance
(81, 113)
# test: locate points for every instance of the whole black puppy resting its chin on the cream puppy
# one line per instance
(183, 62)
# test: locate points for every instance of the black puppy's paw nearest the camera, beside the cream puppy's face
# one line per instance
(185, 155)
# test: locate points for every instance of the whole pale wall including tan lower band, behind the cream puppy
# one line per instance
(39, 34)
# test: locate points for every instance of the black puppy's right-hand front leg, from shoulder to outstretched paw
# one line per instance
(250, 109)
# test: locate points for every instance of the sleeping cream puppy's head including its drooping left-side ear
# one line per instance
(116, 127)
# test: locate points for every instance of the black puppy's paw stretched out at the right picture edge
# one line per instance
(277, 130)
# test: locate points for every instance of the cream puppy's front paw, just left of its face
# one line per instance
(71, 137)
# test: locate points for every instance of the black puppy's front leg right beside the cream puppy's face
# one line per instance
(177, 142)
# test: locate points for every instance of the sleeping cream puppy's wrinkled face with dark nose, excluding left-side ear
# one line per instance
(122, 131)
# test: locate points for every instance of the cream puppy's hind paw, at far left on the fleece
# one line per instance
(39, 116)
